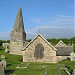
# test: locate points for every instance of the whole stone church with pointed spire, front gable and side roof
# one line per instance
(38, 49)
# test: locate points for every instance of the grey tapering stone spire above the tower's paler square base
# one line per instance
(18, 33)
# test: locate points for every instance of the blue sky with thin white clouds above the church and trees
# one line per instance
(50, 18)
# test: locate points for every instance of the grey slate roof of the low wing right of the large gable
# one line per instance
(64, 51)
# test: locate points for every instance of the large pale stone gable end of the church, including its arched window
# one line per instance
(48, 51)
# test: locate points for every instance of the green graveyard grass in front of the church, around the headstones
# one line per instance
(34, 68)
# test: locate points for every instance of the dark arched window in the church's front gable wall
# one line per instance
(39, 51)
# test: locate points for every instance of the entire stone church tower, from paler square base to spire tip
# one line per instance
(18, 35)
